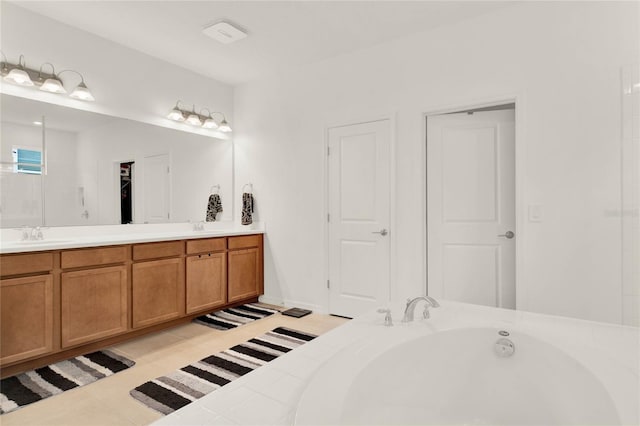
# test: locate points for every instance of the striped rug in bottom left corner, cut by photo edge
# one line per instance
(35, 385)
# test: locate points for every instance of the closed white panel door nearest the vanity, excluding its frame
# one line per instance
(359, 217)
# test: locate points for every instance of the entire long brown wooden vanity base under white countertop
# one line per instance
(62, 303)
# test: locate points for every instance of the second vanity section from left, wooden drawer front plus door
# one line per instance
(93, 296)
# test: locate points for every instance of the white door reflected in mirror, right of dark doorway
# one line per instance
(157, 189)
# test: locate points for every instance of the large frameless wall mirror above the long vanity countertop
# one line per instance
(66, 167)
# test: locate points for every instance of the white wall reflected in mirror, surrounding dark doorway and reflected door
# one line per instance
(197, 163)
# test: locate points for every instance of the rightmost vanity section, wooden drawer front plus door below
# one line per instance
(245, 267)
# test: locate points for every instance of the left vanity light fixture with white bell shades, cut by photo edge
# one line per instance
(47, 82)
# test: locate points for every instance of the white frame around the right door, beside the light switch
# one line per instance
(520, 173)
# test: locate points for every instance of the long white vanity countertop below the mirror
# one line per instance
(69, 237)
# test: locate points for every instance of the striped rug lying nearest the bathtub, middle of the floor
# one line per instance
(173, 391)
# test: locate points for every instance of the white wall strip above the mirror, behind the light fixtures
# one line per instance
(125, 82)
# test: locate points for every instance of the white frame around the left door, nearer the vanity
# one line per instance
(391, 116)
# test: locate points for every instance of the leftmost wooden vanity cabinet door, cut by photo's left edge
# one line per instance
(26, 326)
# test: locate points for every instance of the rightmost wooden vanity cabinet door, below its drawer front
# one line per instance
(244, 274)
